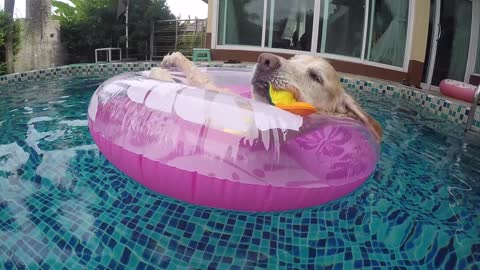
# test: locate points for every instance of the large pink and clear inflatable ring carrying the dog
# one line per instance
(226, 151)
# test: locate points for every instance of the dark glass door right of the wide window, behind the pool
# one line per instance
(450, 41)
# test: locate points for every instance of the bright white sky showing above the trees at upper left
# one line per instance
(183, 8)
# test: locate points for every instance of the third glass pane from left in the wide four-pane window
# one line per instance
(342, 30)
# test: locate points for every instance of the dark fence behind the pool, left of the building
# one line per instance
(167, 36)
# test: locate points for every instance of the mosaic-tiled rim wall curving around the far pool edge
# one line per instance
(447, 109)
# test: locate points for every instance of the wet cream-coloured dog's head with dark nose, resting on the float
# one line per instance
(313, 80)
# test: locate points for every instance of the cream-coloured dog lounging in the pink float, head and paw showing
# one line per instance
(310, 78)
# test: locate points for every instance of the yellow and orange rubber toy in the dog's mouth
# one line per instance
(285, 100)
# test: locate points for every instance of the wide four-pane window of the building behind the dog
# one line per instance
(369, 30)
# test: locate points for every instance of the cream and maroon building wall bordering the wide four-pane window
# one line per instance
(416, 60)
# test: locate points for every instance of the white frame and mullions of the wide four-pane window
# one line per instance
(314, 44)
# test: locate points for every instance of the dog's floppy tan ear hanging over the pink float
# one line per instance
(352, 108)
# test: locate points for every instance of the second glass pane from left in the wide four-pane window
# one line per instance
(289, 24)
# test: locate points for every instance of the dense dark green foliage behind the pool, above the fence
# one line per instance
(89, 24)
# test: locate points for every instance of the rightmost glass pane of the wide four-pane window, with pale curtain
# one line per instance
(387, 35)
